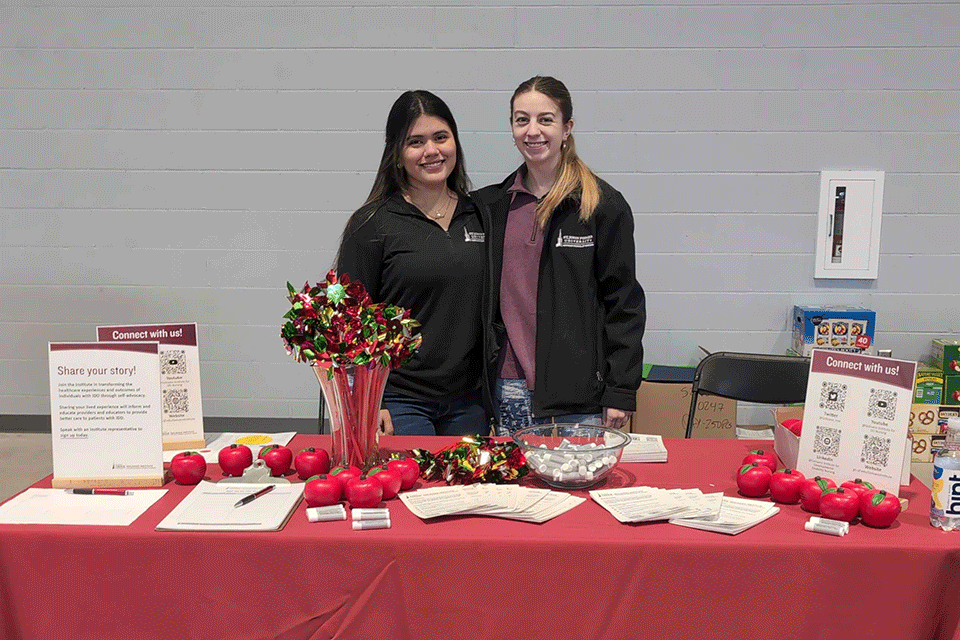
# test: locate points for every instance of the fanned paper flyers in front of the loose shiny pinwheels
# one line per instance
(498, 500)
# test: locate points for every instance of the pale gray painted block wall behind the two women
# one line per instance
(182, 163)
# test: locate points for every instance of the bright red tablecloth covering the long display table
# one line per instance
(582, 575)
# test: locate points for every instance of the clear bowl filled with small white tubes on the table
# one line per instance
(571, 456)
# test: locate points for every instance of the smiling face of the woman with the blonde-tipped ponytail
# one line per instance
(538, 129)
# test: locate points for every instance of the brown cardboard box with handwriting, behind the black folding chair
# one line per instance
(663, 402)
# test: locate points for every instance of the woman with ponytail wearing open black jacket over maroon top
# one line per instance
(565, 313)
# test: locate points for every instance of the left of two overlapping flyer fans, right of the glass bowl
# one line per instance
(648, 504)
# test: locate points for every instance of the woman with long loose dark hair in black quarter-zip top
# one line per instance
(418, 242)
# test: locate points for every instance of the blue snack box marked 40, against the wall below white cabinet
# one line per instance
(836, 328)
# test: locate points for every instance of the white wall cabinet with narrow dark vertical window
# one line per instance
(848, 225)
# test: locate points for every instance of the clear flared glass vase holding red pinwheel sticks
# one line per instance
(353, 393)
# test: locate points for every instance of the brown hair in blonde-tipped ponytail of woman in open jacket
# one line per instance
(575, 177)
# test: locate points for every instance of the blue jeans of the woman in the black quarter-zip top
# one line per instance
(460, 416)
